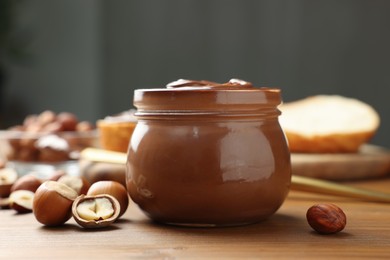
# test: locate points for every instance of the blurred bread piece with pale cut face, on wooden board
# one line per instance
(328, 124)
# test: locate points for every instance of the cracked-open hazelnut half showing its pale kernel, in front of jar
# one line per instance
(96, 211)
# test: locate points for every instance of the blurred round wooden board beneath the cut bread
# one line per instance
(370, 162)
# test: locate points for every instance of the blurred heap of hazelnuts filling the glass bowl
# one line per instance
(49, 137)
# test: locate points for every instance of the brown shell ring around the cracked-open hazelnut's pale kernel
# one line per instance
(93, 224)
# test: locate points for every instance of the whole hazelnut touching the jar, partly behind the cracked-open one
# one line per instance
(114, 189)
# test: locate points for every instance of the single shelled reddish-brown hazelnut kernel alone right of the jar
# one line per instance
(326, 218)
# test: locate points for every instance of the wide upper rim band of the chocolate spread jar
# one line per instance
(219, 97)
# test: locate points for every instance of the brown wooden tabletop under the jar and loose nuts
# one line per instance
(284, 235)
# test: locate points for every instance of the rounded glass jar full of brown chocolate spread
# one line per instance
(208, 154)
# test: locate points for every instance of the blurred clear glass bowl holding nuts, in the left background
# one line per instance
(45, 151)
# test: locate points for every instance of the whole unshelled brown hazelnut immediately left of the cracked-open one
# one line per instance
(53, 203)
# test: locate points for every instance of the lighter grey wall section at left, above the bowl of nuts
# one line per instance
(65, 69)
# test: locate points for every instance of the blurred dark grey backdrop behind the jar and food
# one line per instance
(87, 57)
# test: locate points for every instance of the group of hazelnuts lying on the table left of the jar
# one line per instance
(54, 201)
